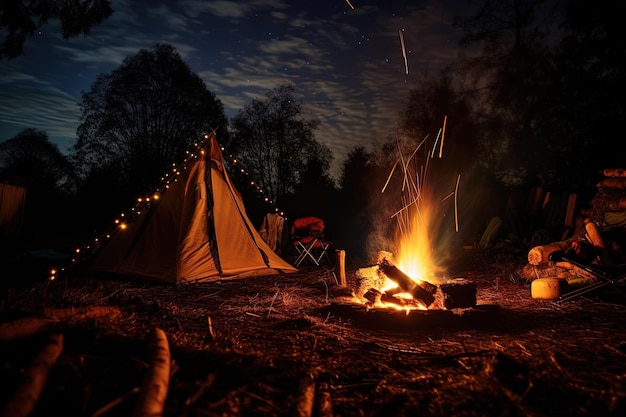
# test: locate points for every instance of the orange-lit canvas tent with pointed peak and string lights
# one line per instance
(197, 230)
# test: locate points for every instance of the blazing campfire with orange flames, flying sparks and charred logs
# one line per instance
(411, 281)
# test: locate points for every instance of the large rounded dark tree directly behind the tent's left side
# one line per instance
(143, 117)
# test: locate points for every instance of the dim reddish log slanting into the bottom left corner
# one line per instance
(27, 395)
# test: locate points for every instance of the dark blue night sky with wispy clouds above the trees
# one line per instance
(345, 60)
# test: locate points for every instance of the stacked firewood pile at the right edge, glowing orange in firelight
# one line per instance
(598, 231)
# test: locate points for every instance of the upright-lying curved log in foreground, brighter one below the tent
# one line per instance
(151, 401)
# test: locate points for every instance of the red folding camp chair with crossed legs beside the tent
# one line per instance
(308, 239)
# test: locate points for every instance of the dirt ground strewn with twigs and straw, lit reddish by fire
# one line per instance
(278, 346)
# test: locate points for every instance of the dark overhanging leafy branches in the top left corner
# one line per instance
(21, 18)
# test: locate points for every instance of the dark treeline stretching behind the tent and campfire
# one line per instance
(536, 103)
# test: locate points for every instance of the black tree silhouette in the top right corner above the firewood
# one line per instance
(585, 115)
